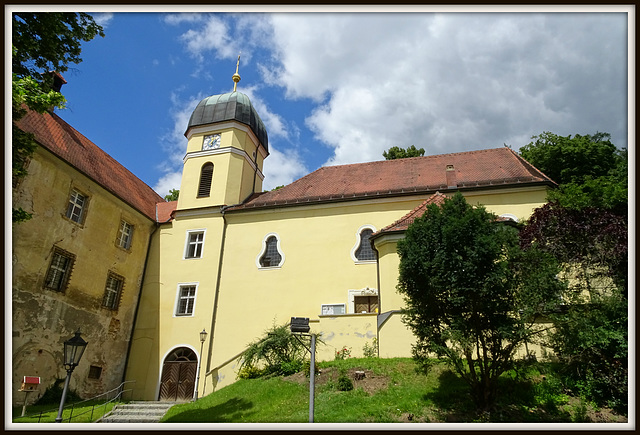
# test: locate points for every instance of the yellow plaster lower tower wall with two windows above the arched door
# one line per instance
(159, 330)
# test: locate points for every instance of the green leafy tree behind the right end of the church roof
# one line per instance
(590, 170)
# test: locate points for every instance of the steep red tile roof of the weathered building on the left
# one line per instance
(67, 143)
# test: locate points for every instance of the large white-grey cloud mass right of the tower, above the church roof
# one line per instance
(451, 82)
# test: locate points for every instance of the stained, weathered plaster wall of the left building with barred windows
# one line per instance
(43, 319)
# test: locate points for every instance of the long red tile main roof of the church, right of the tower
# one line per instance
(498, 167)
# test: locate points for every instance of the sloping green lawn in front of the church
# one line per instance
(392, 392)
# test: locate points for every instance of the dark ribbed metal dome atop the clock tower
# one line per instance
(232, 106)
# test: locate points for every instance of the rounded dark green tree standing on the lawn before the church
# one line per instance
(472, 295)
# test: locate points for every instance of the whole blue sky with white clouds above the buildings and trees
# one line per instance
(336, 88)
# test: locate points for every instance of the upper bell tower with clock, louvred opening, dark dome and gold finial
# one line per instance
(226, 148)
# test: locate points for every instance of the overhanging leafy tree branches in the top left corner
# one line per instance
(42, 42)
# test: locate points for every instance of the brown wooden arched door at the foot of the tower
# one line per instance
(178, 379)
